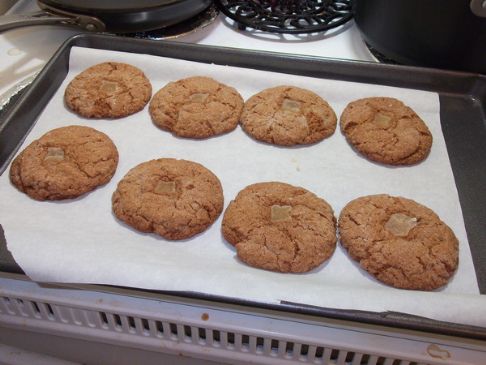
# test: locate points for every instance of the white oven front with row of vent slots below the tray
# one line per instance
(223, 333)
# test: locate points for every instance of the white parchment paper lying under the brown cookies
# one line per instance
(96, 248)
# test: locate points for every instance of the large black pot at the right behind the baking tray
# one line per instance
(447, 34)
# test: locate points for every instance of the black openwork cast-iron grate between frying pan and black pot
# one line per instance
(288, 16)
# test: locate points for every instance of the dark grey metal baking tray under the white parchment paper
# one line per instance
(463, 118)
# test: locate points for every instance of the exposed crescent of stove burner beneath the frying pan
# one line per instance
(188, 26)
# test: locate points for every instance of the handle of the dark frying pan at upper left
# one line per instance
(8, 22)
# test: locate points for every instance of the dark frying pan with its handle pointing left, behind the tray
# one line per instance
(117, 16)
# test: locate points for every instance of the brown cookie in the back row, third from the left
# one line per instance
(288, 116)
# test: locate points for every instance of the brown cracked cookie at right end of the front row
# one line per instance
(400, 242)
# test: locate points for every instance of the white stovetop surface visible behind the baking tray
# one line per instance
(24, 51)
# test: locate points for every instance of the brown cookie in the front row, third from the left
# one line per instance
(280, 227)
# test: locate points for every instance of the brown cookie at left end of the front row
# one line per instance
(65, 163)
